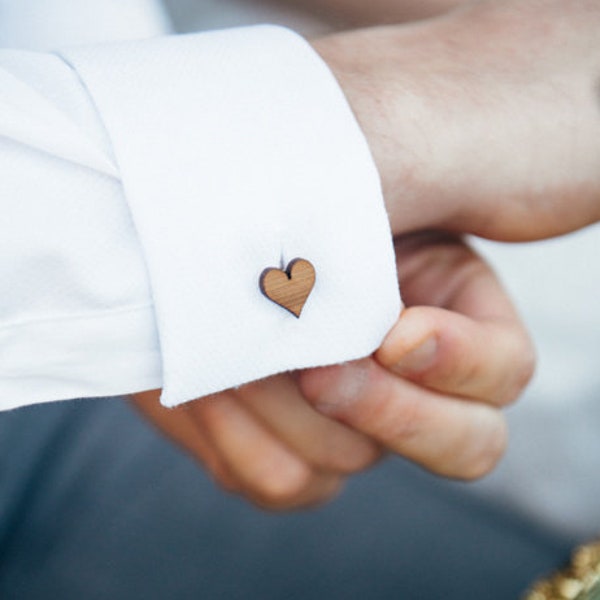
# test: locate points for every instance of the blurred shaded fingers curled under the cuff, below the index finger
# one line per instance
(265, 442)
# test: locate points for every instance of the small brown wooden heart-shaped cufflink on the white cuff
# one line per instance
(290, 288)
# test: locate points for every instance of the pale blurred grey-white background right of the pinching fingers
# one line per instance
(552, 468)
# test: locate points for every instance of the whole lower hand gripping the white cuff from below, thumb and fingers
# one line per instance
(439, 406)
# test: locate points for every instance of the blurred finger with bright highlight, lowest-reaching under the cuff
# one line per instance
(270, 473)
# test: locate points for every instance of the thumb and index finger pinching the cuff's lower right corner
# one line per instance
(433, 392)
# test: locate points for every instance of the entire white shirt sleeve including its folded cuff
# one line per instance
(145, 188)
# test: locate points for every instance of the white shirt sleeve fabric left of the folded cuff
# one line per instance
(76, 317)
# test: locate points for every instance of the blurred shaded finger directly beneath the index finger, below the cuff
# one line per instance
(324, 443)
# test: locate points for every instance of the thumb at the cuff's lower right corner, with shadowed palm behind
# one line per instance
(477, 348)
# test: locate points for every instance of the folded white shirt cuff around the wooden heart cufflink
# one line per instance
(238, 152)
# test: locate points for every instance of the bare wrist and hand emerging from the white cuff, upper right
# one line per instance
(484, 121)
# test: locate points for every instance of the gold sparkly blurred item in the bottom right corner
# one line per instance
(579, 581)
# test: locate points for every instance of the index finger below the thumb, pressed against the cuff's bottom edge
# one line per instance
(446, 435)
